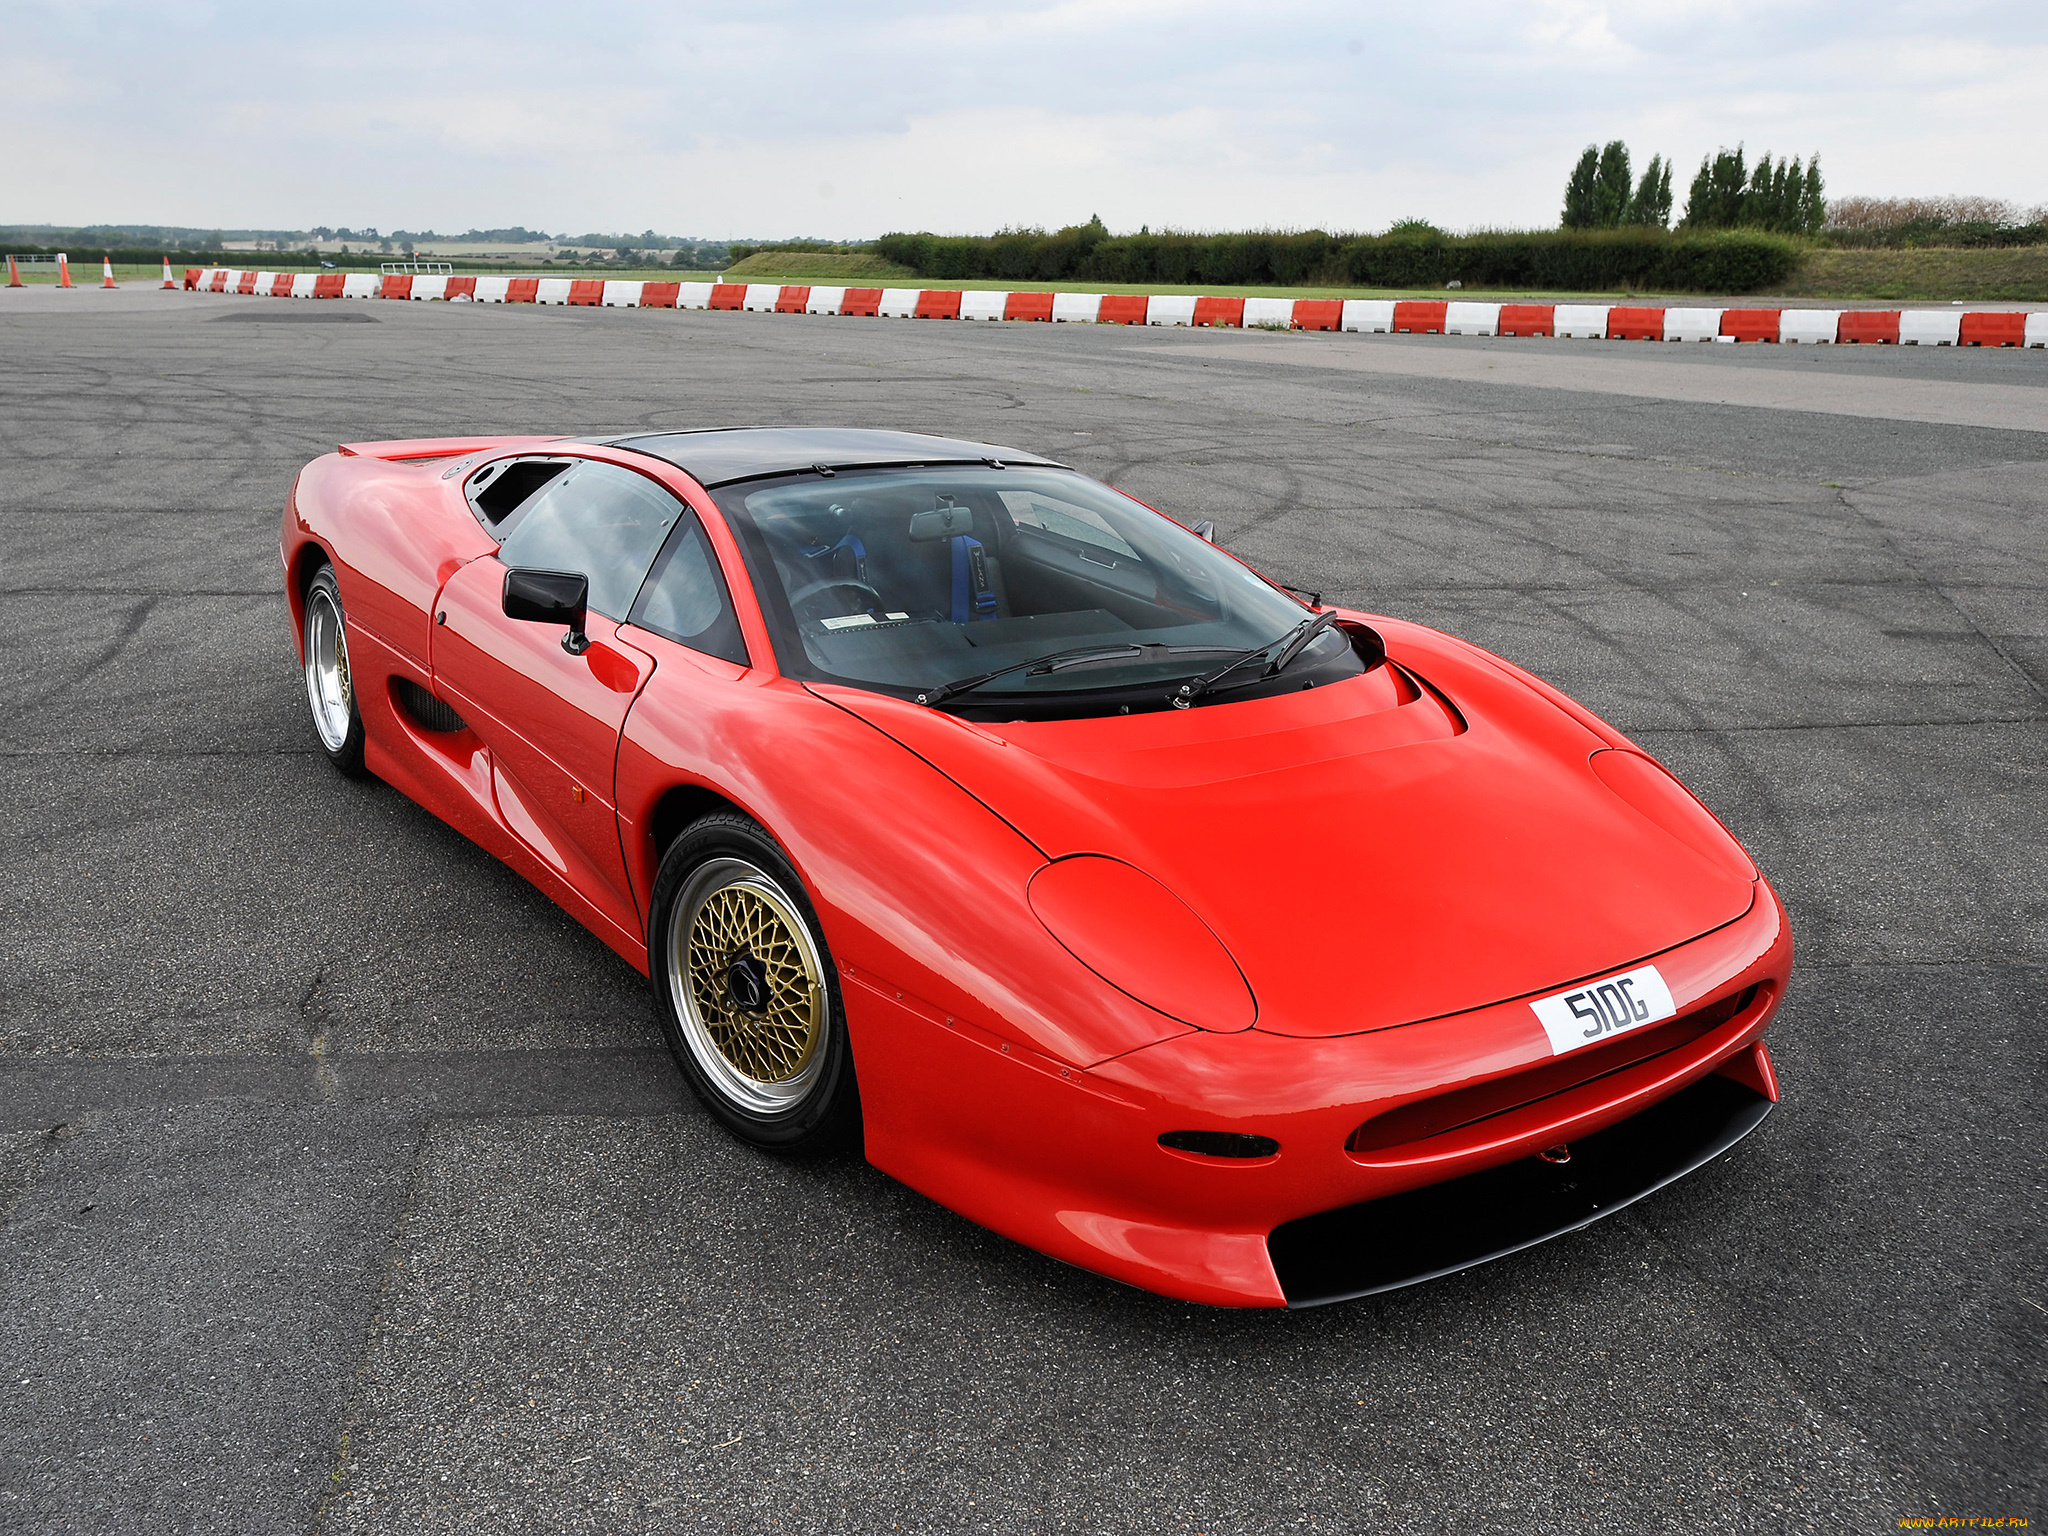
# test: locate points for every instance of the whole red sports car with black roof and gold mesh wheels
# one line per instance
(1250, 951)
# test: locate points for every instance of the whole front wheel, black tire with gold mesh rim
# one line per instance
(759, 1037)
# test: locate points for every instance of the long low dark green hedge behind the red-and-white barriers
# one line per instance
(1732, 261)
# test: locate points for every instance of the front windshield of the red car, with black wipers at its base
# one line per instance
(916, 579)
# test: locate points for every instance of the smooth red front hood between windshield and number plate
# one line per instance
(1371, 853)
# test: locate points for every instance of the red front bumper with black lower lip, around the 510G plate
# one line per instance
(1070, 1162)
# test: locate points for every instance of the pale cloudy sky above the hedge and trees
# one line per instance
(787, 118)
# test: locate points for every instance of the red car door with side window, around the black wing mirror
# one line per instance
(552, 718)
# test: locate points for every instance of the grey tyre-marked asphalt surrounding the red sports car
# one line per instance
(347, 1189)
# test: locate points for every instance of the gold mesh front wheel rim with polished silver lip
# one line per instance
(749, 986)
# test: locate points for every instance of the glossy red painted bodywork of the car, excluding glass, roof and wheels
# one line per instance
(1388, 867)
